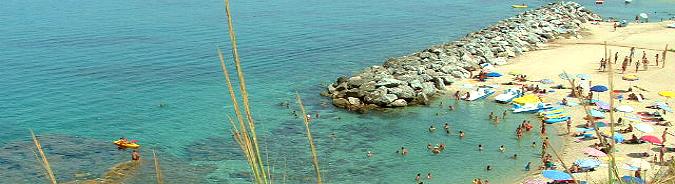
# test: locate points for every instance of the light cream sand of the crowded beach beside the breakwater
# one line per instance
(582, 56)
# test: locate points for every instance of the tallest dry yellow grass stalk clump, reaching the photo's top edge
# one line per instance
(245, 135)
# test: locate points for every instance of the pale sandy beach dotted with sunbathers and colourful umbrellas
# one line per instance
(644, 36)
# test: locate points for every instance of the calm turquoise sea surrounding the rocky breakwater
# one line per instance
(84, 73)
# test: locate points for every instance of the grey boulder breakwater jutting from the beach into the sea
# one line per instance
(415, 78)
